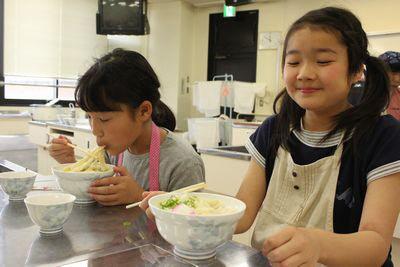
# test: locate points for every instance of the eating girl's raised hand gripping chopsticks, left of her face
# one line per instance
(59, 150)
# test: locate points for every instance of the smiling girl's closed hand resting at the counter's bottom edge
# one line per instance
(292, 246)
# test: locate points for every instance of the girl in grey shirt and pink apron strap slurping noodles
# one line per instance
(120, 95)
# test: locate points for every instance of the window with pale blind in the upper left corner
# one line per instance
(42, 41)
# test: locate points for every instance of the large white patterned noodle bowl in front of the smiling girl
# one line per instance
(197, 236)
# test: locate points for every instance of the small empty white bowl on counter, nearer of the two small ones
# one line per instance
(49, 211)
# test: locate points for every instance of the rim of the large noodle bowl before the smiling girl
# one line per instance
(156, 198)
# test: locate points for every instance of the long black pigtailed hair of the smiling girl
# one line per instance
(356, 120)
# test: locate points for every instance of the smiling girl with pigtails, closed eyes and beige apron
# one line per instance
(324, 177)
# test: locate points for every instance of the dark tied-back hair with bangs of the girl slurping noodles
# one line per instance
(122, 77)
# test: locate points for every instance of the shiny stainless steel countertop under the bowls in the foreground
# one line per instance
(101, 236)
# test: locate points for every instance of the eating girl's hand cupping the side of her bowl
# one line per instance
(116, 190)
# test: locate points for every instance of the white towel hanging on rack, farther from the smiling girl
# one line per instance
(206, 97)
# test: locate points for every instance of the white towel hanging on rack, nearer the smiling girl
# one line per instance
(244, 95)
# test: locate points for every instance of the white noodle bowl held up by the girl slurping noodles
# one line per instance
(77, 183)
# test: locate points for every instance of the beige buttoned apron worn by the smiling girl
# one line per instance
(298, 195)
